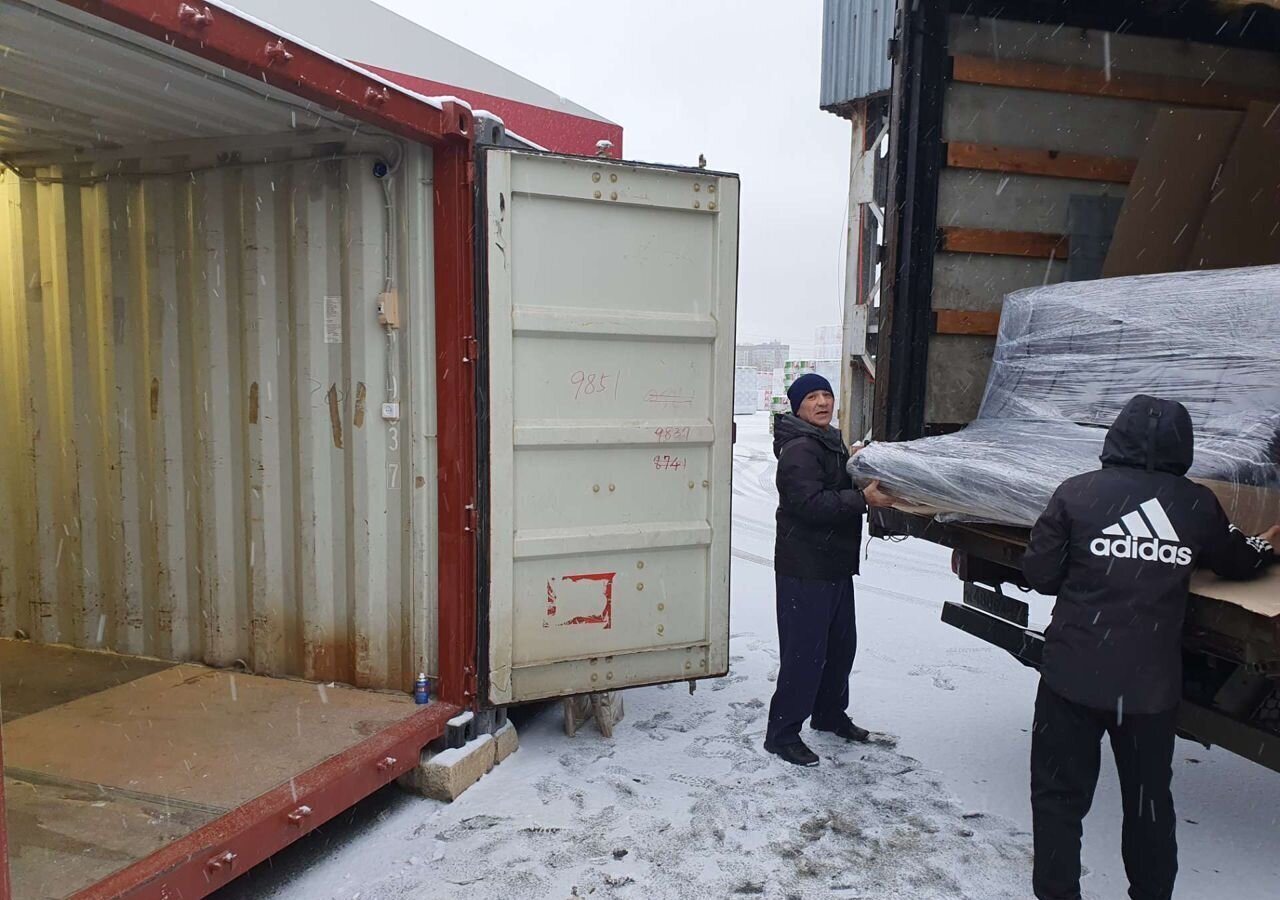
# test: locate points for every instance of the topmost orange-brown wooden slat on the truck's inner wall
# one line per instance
(1214, 94)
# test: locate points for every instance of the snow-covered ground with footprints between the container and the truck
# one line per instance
(685, 803)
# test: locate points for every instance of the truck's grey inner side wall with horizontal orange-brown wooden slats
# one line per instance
(1037, 115)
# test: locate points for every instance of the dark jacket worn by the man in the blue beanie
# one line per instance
(820, 510)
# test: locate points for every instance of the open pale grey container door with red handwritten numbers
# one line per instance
(610, 293)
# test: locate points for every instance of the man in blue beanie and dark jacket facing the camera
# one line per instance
(815, 561)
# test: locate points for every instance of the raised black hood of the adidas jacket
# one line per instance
(1154, 435)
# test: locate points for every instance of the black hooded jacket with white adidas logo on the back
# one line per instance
(1119, 546)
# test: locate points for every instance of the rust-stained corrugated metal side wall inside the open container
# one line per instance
(195, 459)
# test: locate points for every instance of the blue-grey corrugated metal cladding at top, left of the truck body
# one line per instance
(856, 65)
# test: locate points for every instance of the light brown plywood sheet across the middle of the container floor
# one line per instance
(200, 735)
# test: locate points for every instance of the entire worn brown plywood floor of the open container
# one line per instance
(108, 759)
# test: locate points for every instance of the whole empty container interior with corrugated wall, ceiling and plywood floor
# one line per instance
(217, 464)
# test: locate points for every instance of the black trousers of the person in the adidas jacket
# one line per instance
(1066, 759)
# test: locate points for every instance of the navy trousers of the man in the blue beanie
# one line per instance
(817, 641)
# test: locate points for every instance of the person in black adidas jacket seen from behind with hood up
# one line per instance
(1119, 546)
